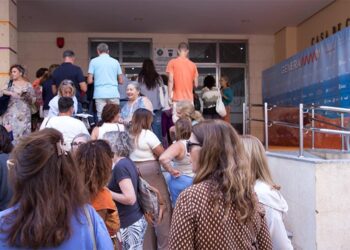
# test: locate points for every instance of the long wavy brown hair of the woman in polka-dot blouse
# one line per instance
(223, 161)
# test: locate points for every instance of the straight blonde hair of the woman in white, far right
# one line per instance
(258, 163)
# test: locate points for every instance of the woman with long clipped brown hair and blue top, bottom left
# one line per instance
(49, 206)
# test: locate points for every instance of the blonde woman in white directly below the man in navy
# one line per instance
(66, 89)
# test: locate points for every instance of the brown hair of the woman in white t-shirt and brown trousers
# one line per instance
(141, 119)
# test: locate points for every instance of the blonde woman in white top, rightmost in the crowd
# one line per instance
(268, 192)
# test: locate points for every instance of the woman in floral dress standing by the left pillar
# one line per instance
(22, 97)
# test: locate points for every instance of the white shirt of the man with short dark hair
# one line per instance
(68, 126)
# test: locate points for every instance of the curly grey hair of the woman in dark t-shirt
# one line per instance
(120, 142)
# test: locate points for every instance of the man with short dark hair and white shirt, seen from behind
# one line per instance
(65, 123)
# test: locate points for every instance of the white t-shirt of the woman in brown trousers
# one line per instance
(146, 142)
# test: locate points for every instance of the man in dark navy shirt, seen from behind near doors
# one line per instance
(67, 70)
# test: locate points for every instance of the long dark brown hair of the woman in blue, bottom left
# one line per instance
(48, 191)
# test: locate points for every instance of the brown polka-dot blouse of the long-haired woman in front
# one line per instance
(212, 229)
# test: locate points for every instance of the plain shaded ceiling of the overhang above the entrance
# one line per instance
(165, 16)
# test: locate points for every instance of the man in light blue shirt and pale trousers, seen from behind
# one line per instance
(105, 72)
